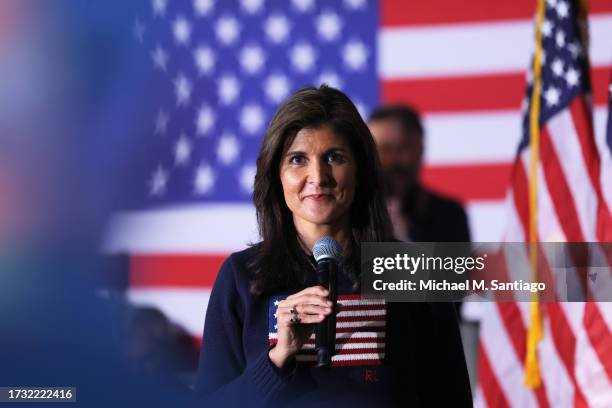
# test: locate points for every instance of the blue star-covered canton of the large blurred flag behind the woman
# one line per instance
(224, 67)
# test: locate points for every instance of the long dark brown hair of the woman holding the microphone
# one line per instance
(281, 262)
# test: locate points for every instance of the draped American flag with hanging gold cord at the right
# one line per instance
(553, 354)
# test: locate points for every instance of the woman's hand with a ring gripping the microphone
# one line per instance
(311, 306)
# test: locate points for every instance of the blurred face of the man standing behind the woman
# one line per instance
(400, 154)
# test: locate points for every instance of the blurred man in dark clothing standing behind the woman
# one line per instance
(417, 213)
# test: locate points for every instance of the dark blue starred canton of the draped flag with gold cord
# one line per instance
(564, 63)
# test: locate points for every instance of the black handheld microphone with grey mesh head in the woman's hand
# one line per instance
(327, 252)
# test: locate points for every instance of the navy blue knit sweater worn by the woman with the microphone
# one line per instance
(423, 362)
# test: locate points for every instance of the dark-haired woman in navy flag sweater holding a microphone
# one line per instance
(318, 175)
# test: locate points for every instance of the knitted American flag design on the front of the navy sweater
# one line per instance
(360, 332)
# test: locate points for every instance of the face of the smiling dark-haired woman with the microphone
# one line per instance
(318, 173)
